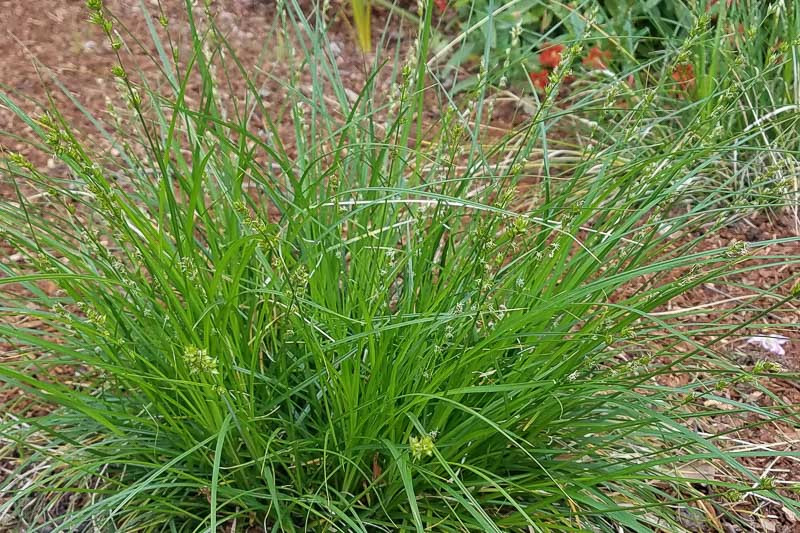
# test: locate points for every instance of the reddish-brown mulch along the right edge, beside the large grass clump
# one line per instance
(740, 289)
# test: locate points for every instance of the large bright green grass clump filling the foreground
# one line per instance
(363, 327)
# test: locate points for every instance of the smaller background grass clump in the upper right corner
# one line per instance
(751, 52)
